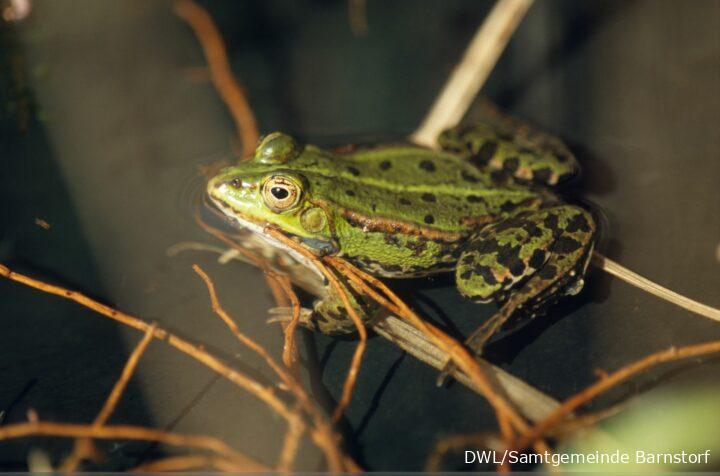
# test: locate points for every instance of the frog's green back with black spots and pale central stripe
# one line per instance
(417, 186)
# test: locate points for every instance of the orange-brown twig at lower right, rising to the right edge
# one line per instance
(603, 385)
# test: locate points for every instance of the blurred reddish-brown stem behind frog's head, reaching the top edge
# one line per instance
(220, 72)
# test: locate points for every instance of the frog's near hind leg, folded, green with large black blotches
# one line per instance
(529, 261)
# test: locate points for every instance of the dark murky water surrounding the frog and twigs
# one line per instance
(105, 120)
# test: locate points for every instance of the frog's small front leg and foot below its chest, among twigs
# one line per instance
(329, 314)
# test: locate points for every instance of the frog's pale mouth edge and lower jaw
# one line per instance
(258, 227)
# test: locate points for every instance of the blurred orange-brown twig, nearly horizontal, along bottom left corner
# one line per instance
(128, 432)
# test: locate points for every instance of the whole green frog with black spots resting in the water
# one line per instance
(482, 205)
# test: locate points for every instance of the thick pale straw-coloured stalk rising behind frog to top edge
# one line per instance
(472, 71)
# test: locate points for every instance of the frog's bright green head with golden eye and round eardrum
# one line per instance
(268, 190)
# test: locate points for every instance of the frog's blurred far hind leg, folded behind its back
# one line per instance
(521, 152)
